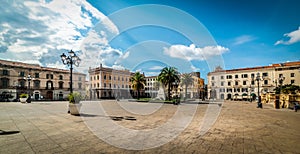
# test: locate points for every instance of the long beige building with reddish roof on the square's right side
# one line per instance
(242, 84)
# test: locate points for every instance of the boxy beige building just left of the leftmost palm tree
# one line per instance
(109, 83)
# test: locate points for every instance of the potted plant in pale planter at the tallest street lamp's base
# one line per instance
(74, 103)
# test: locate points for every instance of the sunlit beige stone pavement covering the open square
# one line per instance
(45, 127)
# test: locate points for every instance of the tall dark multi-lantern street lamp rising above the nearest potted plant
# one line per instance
(70, 60)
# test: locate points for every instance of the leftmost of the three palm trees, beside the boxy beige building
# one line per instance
(138, 82)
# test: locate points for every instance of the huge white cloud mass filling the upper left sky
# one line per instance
(41, 31)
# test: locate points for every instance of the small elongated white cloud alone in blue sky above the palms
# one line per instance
(194, 53)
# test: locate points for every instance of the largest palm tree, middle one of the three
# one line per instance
(167, 76)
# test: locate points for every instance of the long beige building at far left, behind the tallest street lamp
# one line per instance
(45, 83)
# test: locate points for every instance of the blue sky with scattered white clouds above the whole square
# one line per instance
(147, 35)
